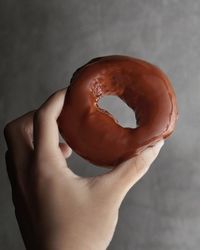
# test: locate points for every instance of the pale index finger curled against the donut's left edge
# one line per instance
(46, 134)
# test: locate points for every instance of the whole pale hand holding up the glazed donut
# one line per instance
(55, 208)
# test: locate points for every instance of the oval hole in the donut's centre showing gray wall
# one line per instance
(119, 110)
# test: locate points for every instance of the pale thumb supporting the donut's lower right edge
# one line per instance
(119, 180)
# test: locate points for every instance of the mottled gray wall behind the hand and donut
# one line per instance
(43, 42)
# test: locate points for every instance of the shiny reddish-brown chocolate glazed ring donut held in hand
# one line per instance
(93, 133)
